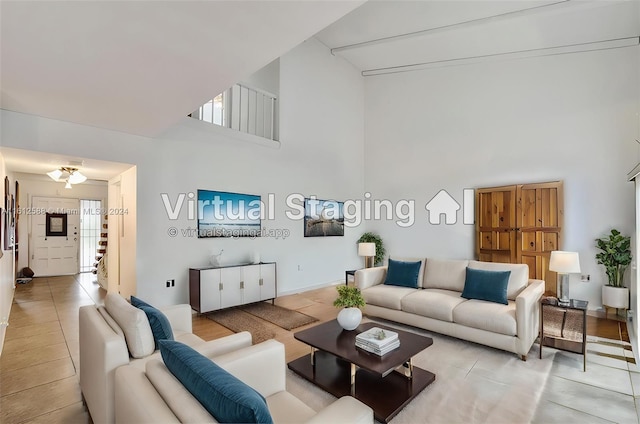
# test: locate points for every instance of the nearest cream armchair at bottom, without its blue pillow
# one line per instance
(153, 395)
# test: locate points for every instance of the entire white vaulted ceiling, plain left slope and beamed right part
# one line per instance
(141, 66)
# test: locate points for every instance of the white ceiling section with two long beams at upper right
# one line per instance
(395, 36)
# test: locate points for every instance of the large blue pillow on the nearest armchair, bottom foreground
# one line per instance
(225, 397)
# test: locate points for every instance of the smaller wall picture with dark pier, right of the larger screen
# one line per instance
(323, 218)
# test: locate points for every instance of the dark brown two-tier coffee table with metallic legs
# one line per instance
(337, 366)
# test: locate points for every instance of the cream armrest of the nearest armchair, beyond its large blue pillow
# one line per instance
(261, 366)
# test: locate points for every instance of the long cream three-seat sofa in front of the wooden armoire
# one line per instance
(436, 305)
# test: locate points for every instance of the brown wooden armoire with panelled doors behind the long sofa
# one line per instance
(521, 224)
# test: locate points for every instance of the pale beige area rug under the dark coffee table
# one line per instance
(474, 384)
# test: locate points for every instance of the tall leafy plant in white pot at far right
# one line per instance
(616, 256)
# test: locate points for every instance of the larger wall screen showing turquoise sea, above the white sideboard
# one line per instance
(224, 214)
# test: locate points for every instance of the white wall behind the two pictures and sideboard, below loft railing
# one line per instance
(322, 136)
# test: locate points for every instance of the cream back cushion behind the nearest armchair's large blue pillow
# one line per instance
(182, 403)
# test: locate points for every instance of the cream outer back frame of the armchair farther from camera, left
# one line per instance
(101, 352)
